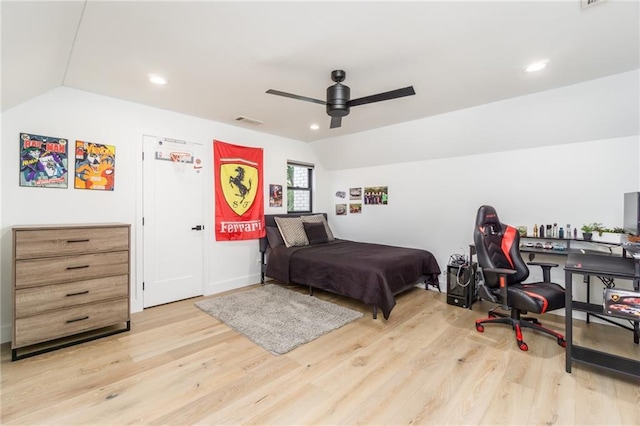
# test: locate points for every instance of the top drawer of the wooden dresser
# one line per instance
(33, 243)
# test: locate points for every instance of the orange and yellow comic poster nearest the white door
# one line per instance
(95, 166)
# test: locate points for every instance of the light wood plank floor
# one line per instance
(426, 365)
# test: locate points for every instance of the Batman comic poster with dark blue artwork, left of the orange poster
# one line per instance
(43, 161)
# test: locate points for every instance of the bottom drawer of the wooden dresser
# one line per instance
(65, 322)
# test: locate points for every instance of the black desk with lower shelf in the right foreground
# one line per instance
(607, 266)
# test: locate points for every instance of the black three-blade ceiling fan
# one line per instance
(338, 102)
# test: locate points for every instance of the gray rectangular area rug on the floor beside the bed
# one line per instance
(277, 319)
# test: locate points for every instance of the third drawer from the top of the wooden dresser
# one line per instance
(36, 300)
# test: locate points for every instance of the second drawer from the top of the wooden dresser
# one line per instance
(56, 270)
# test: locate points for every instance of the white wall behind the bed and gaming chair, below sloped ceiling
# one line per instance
(433, 204)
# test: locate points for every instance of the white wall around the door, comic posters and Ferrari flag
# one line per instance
(78, 115)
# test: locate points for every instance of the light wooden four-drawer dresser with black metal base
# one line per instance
(70, 285)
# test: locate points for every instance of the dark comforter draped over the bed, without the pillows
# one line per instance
(371, 273)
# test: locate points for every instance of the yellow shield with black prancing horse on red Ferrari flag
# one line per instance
(242, 188)
